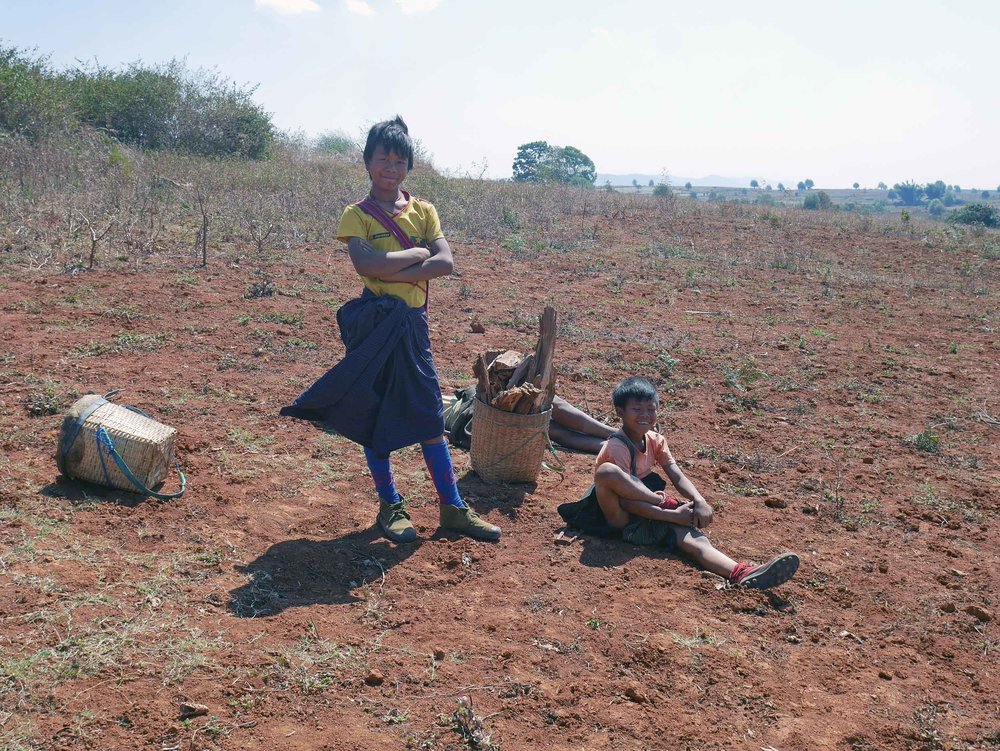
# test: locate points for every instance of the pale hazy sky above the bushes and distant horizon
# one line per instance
(881, 90)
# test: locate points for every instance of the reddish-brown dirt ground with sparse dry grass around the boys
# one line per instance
(797, 358)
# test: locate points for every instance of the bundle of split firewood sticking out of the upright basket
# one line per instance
(521, 384)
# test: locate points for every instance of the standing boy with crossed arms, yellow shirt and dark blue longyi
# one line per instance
(385, 393)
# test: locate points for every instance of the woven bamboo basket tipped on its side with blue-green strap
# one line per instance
(146, 445)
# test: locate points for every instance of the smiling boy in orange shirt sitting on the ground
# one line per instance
(632, 498)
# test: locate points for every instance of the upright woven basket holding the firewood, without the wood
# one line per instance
(507, 447)
